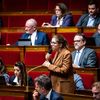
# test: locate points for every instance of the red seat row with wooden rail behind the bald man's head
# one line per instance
(18, 19)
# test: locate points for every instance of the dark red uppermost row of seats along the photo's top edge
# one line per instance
(43, 5)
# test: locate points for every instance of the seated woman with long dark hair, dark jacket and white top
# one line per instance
(20, 77)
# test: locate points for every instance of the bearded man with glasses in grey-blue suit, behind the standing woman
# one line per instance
(83, 57)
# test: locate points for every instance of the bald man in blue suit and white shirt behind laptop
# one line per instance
(31, 32)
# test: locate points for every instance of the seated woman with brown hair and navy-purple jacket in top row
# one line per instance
(62, 17)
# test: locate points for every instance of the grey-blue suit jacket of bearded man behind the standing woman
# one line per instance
(87, 58)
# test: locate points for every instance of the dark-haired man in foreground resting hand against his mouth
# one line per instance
(43, 86)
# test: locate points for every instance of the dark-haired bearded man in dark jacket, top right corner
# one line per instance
(91, 19)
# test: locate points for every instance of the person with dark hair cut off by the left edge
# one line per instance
(3, 71)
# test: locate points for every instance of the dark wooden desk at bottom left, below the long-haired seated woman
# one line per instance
(17, 91)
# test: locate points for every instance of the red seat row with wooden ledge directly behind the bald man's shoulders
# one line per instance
(11, 35)
